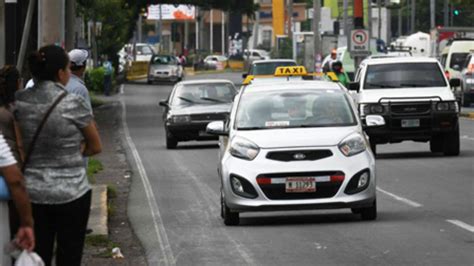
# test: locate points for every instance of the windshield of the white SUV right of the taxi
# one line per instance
(403, 75)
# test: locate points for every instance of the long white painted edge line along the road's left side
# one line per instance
(160, 231)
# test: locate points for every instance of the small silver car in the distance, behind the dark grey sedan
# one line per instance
(164, 68)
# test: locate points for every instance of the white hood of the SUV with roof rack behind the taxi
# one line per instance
(371, 96)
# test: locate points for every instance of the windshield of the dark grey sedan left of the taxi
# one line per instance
(213, 93)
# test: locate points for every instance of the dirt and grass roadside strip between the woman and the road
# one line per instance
(116, 176)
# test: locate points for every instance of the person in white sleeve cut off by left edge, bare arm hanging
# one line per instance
(13, 180)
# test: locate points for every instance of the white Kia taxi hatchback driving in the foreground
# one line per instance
(293, 145)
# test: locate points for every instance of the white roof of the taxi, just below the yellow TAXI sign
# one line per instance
(293, 84)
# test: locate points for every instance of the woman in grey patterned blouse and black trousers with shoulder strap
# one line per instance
(58, 130)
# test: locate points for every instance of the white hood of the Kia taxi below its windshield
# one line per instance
(297, 137)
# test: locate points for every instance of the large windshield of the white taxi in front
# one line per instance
(291, 109)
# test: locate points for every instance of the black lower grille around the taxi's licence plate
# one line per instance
(278, 191)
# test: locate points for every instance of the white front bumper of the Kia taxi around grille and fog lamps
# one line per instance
(266, 201)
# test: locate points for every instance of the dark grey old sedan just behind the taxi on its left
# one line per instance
(191, 105)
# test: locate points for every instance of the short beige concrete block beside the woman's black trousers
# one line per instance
(98, 215)
